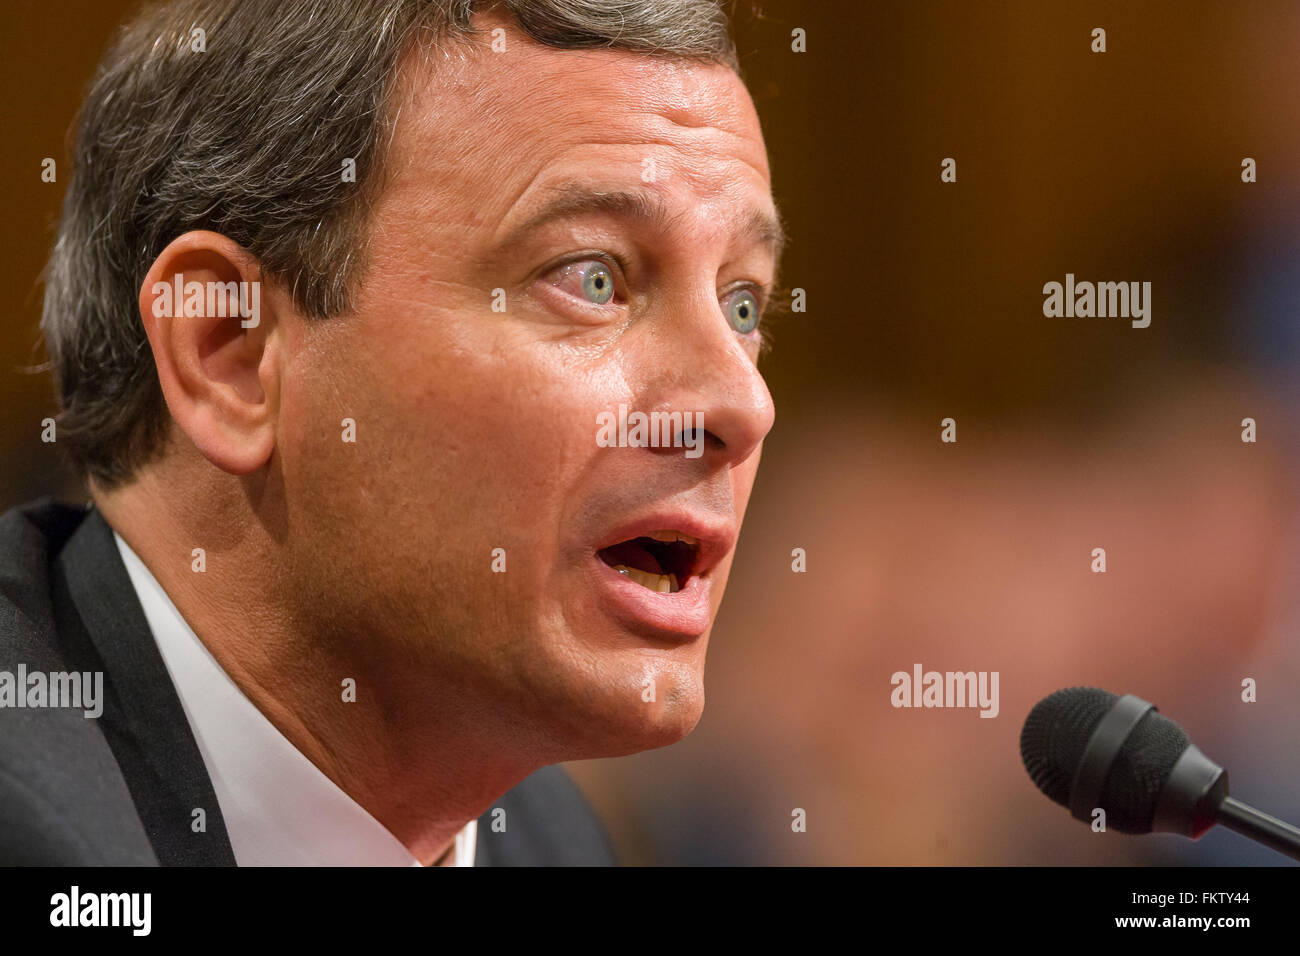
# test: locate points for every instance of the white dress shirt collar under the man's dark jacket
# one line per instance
(280, 808)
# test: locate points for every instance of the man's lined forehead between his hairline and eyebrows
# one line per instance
(482, 131)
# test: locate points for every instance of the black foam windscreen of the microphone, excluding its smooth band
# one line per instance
(1056, 736)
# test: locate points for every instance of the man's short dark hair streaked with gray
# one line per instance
(248, 140)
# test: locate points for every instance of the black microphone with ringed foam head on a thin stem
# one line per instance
(1087, 749)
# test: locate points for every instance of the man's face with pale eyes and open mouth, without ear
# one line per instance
(487, 345)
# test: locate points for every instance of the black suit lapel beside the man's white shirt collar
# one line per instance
(144, 720)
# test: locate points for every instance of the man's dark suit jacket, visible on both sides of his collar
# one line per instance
(122, 789)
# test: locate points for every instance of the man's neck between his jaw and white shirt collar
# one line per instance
(384, 730)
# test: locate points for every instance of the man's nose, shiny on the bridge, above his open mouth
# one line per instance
(705, 367)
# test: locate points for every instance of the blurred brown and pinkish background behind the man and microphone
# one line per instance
(925, 301)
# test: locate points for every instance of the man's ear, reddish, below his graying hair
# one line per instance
(215, 348)
